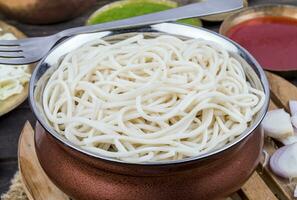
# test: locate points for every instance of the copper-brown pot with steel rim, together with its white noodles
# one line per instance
(166, 111)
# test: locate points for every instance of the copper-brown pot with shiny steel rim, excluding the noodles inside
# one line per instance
(84, 175)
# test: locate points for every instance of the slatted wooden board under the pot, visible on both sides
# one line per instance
(262, 185)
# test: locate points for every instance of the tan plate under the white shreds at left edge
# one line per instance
(15, 100)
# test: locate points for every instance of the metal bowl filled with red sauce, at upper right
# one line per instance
(268, 32)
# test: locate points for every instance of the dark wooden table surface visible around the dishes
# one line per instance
(11, 124)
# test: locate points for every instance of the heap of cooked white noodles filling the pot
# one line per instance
(147, 100)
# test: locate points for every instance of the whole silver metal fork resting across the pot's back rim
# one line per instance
(30, 50)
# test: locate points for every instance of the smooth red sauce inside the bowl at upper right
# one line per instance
(271, 40)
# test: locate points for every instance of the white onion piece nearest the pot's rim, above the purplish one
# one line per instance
(277, 124)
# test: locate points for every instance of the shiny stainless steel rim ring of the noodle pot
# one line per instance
(167, 28)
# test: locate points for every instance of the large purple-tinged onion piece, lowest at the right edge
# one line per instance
(284, 161)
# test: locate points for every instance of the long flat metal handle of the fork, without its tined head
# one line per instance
(203, 8)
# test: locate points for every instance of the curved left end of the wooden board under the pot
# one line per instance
(36, 184)
